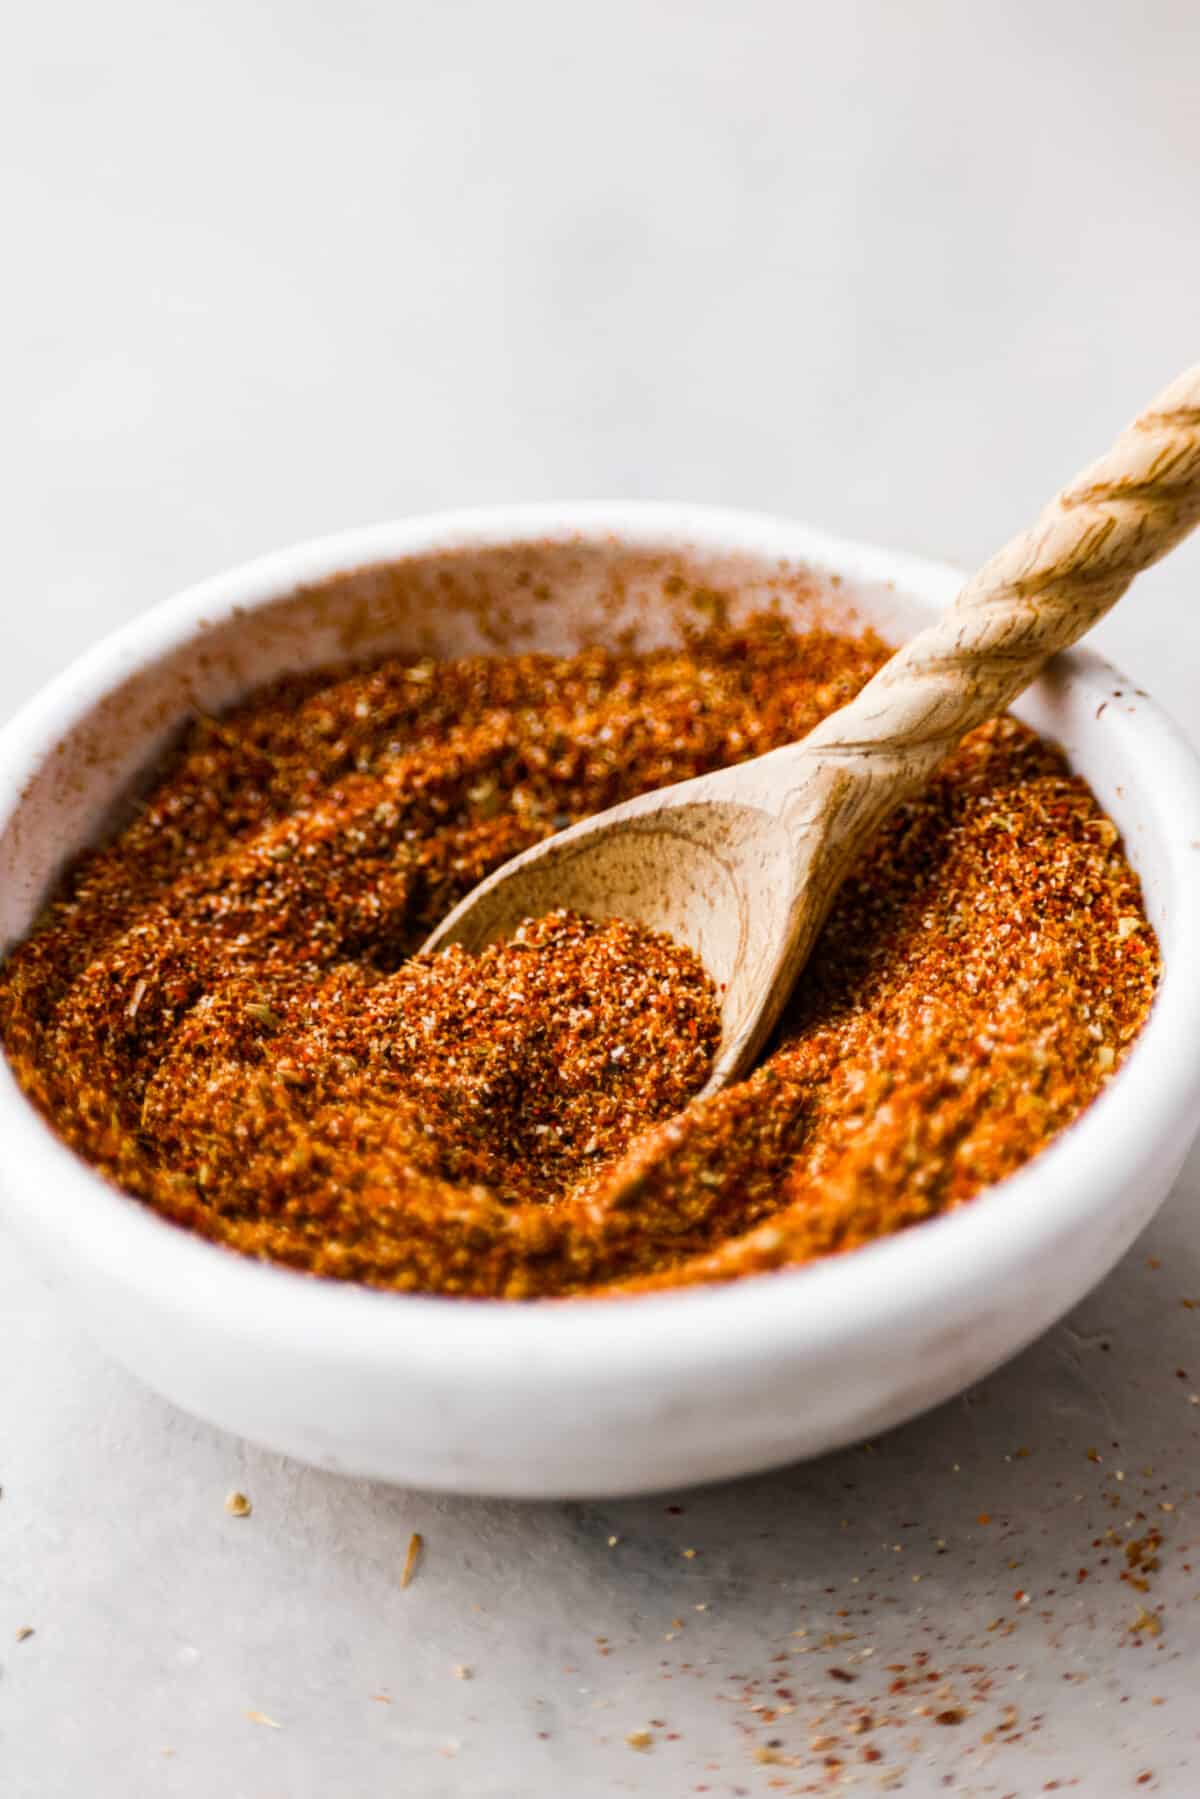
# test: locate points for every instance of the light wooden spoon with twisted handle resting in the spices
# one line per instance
(744, 864)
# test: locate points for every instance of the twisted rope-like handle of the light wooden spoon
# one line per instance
(1037, 596)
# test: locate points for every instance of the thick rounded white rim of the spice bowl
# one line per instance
(544, 1348)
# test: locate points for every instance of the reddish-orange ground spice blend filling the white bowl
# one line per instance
(224, 1012)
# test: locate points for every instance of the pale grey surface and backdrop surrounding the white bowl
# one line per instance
(895, 269)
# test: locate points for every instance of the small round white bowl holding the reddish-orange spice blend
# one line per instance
(620, 1395)
